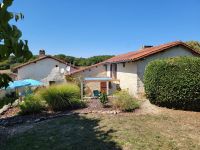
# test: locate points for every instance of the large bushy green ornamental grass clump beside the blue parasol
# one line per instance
(62, 97)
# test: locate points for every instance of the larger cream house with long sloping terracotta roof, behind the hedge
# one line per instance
(129, 68)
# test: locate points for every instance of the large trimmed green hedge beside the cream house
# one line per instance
(174, 83)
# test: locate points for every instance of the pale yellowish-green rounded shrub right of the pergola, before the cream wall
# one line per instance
(124, 101)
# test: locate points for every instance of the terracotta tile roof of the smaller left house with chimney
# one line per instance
(41, 58)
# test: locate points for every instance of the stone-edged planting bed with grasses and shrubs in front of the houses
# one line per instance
(62, 99)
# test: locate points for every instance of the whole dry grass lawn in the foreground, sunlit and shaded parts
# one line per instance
(167, 130)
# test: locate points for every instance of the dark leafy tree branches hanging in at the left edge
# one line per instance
(10, 42)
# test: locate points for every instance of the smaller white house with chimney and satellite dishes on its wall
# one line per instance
(46, 68)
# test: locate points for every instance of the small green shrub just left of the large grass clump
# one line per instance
(32, 104)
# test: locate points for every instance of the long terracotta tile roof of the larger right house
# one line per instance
(142, 53)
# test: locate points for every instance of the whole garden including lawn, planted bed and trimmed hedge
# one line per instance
(56, 117)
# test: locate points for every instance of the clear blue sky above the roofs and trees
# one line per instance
(85, 28)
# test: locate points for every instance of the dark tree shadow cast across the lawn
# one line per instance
(70, 132)
